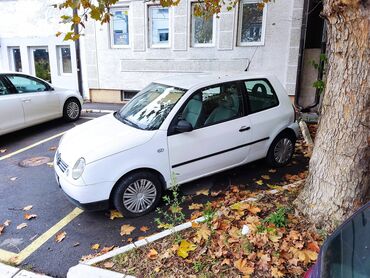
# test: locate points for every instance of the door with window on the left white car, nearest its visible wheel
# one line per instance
(40, 103)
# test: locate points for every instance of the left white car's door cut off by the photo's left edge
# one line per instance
(11, 111)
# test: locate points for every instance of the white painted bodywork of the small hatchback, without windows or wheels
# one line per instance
(112, 149)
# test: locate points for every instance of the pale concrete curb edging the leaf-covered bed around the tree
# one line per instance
(85, 269)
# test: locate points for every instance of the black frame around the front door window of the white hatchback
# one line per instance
(171, 128)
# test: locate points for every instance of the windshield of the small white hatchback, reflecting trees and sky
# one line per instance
(148, 109)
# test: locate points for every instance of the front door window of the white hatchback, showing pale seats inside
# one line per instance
(212, 105)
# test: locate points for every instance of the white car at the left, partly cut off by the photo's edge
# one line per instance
(26, 100)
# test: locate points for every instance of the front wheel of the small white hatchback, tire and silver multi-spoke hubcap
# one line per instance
(126, 204)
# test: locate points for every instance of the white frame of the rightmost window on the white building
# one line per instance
(240, 21)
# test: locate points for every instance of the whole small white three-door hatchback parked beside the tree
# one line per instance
(185, 127)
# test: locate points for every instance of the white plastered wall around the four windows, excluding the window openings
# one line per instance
(133, 67)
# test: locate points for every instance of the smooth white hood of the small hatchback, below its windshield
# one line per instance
(100, 138)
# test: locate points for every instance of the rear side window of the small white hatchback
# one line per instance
(260, 94)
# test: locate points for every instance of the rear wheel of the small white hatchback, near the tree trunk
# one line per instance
(281, 150)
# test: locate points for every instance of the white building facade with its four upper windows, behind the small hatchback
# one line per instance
(145, 41)
